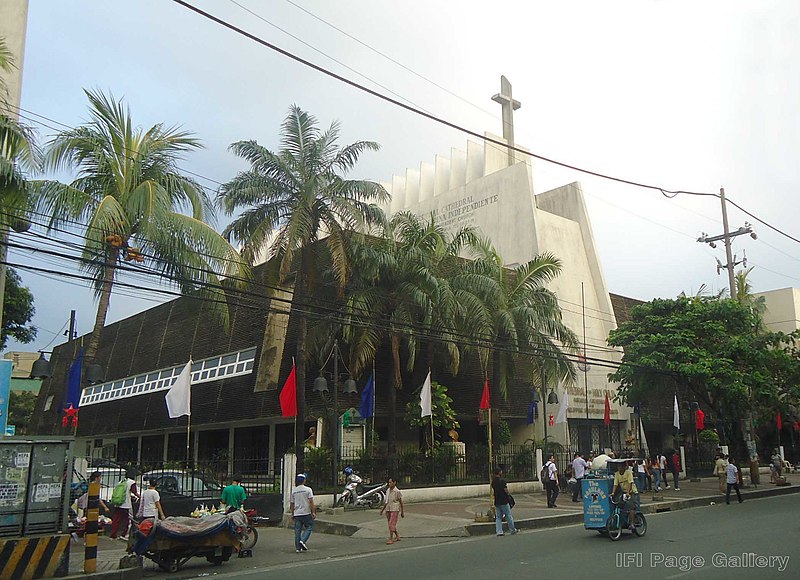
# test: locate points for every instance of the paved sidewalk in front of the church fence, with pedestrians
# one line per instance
(456, 518)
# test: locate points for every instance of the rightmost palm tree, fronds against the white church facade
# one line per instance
(524, 315)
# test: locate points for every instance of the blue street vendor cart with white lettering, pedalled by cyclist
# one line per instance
(600, 512)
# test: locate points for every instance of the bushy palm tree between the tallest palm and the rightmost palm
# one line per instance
(403, 285)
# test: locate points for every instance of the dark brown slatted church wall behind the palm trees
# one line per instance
(168, 334)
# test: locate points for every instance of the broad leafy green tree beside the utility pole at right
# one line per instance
(706, 349)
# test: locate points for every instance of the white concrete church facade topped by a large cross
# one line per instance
(490, 187)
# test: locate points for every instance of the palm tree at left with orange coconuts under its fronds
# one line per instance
(129, 196)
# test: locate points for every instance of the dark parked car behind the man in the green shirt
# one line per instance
(181, 491)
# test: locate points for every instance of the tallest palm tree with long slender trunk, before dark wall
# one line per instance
(293, 198)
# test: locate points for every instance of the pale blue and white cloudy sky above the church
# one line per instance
(679, 94)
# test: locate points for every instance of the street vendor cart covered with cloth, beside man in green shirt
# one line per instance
(170, 543)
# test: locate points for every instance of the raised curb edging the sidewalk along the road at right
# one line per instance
(485, 529)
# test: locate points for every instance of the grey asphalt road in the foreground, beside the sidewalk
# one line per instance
(717, 541)
